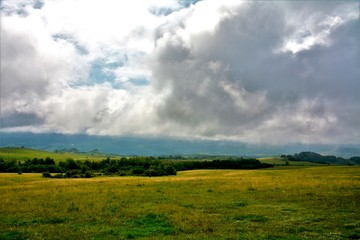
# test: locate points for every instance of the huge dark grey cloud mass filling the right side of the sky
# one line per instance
(232, 81)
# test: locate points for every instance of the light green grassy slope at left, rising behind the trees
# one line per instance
(22, 154)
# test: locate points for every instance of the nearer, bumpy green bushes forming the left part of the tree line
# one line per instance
(141, 166)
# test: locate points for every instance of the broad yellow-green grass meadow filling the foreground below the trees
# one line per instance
(279, 203)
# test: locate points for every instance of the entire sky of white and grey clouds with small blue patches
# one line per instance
(251, 71)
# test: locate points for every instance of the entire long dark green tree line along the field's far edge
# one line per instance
(138, 166)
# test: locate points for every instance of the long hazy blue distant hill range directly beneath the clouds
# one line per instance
(157, 146)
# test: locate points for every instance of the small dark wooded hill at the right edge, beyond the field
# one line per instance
(318, 158)
